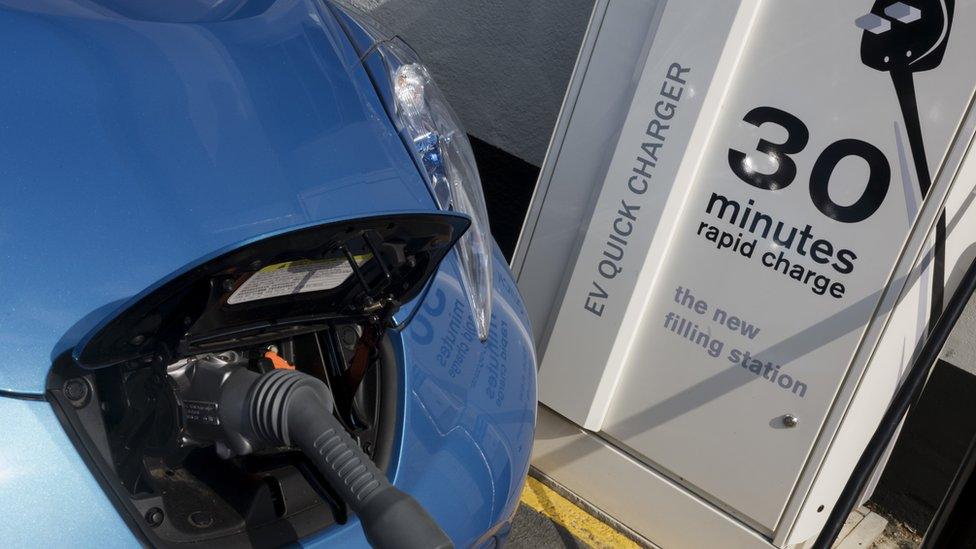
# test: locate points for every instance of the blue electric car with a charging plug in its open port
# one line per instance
(248, 292)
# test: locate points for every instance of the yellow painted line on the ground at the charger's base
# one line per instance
(563, 512)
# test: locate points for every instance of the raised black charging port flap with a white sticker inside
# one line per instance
(279, 286)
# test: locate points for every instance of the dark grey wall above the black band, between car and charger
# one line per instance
(503, 64)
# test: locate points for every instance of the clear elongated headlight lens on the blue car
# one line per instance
(432, 130)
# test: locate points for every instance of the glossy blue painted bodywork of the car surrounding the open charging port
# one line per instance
(131, 149)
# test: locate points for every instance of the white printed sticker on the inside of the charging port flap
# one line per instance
(295, 277)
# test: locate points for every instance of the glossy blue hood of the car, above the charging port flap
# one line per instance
(131, 148)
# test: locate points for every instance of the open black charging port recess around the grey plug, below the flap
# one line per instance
(133, 427)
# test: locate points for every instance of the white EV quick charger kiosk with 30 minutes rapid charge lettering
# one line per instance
(736, 244)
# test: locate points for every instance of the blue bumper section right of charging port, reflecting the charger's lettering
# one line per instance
(467, 394)
